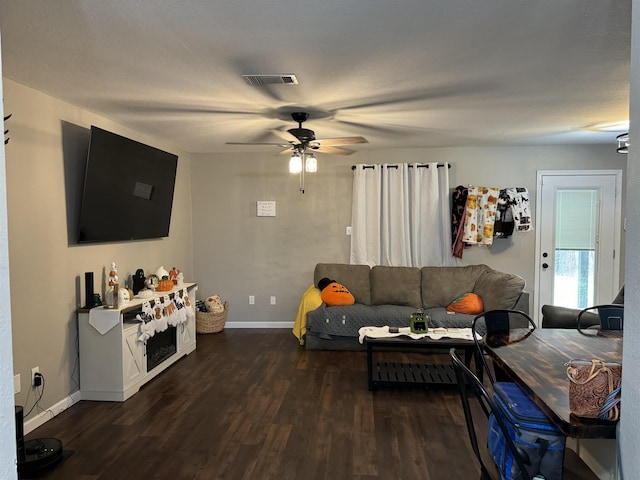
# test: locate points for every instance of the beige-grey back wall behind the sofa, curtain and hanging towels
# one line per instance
(238, 254)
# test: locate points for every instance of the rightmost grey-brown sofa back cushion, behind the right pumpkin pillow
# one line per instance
(442, 285)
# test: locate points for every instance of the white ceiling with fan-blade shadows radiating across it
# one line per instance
(404, 73)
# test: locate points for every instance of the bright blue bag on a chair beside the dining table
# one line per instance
(539, 441)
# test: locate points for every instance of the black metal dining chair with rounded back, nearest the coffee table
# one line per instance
(496, 325)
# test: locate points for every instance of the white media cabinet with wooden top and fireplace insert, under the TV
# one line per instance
(113, 361)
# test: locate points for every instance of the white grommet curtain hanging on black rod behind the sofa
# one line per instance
(401, 215)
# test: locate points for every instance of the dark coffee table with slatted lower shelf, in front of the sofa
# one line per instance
(398, 374)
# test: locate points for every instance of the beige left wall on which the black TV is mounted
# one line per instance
(48, 143)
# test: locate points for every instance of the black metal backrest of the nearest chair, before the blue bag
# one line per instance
(469, 384)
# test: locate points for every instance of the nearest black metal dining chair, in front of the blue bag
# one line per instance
(475, 398)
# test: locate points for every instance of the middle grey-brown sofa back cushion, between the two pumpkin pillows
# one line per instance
(395, 286)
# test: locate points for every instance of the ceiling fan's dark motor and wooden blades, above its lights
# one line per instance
(301, 139)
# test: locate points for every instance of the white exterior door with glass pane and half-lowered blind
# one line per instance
(578, 237)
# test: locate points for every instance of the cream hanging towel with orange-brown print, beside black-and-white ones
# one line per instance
(481, 206)
